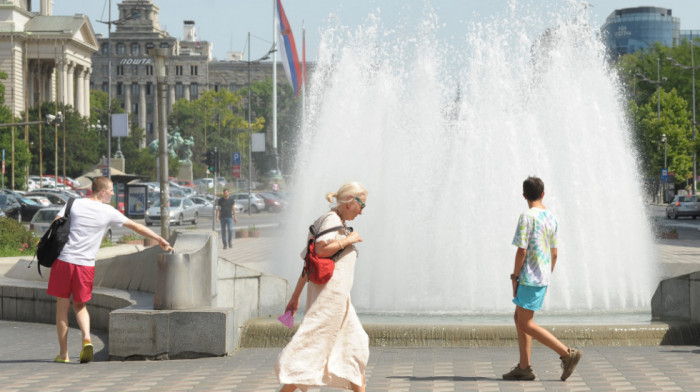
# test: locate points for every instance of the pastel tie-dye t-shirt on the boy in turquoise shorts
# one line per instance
(536, 232)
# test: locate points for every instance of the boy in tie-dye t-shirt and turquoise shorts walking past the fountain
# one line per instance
(536, 239)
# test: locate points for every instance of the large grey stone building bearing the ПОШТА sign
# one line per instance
(190, 69)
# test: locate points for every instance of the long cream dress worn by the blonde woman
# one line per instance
(330, 348)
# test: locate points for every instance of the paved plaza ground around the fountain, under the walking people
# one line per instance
(28, 349)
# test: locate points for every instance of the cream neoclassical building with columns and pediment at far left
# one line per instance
(46, 57)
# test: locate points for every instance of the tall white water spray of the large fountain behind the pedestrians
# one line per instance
(443, 139)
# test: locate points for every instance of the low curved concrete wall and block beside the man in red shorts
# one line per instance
(122, 304)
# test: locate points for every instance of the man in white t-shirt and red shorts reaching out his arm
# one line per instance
(73, 271)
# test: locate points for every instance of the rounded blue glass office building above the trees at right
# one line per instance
(631, 29)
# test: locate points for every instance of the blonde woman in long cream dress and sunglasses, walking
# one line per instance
(330, 348)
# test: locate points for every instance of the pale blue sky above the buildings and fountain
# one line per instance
(226, 23)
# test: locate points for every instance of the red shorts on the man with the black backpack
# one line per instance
(67, 279)
